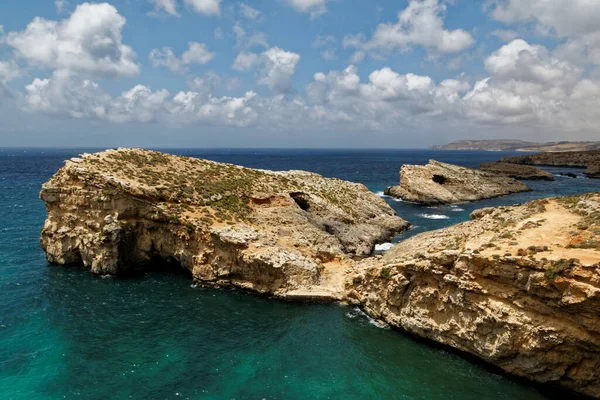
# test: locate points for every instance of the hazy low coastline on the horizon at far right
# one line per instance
(517, 145)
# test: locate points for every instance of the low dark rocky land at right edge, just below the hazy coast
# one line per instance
(582, 159)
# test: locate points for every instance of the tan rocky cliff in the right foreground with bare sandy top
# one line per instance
(518, 287)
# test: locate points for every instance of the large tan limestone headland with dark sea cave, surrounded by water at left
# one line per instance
(287, 233)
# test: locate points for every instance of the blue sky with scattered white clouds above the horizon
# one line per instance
(297, 73)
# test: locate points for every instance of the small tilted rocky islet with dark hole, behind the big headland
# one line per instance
(440, 183)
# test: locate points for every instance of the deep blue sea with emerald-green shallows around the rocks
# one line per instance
(65, 334)
